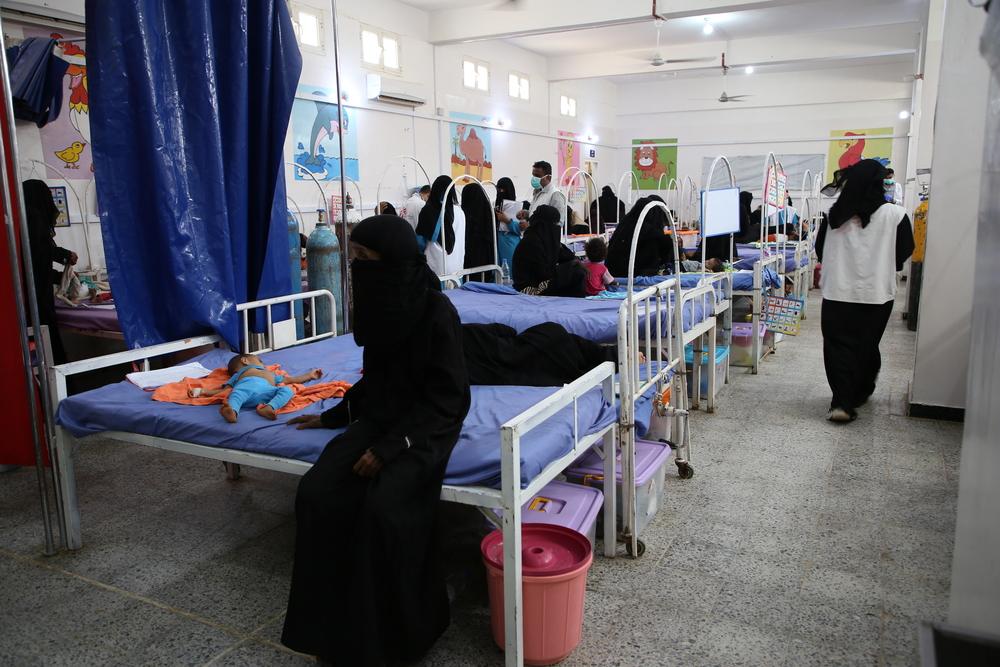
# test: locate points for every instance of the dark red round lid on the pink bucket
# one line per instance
(546, 550)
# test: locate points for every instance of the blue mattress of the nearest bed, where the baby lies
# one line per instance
(474, 461)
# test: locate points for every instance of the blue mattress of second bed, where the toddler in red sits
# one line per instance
(593, 319)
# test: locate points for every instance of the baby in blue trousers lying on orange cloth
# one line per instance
(255, 386)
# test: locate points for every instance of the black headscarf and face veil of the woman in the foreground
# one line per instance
(390, 294)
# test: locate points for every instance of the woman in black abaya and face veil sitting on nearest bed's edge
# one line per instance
(366, 588)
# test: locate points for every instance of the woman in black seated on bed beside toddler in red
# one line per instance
(543, 266)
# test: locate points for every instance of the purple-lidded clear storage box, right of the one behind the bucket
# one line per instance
(649, 473)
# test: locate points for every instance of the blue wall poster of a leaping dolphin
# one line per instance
(315, 129)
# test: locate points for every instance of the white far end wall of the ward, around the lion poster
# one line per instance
(785, 109)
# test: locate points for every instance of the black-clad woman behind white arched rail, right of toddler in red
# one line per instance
(655, 250)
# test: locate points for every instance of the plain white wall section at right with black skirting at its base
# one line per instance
(940, 371)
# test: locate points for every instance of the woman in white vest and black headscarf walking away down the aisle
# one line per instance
(862, 246)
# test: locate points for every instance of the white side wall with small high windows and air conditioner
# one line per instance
(435, 74)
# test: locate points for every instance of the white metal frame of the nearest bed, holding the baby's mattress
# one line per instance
(509, 498)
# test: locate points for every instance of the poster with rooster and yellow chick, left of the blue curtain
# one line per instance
(66, 140)
